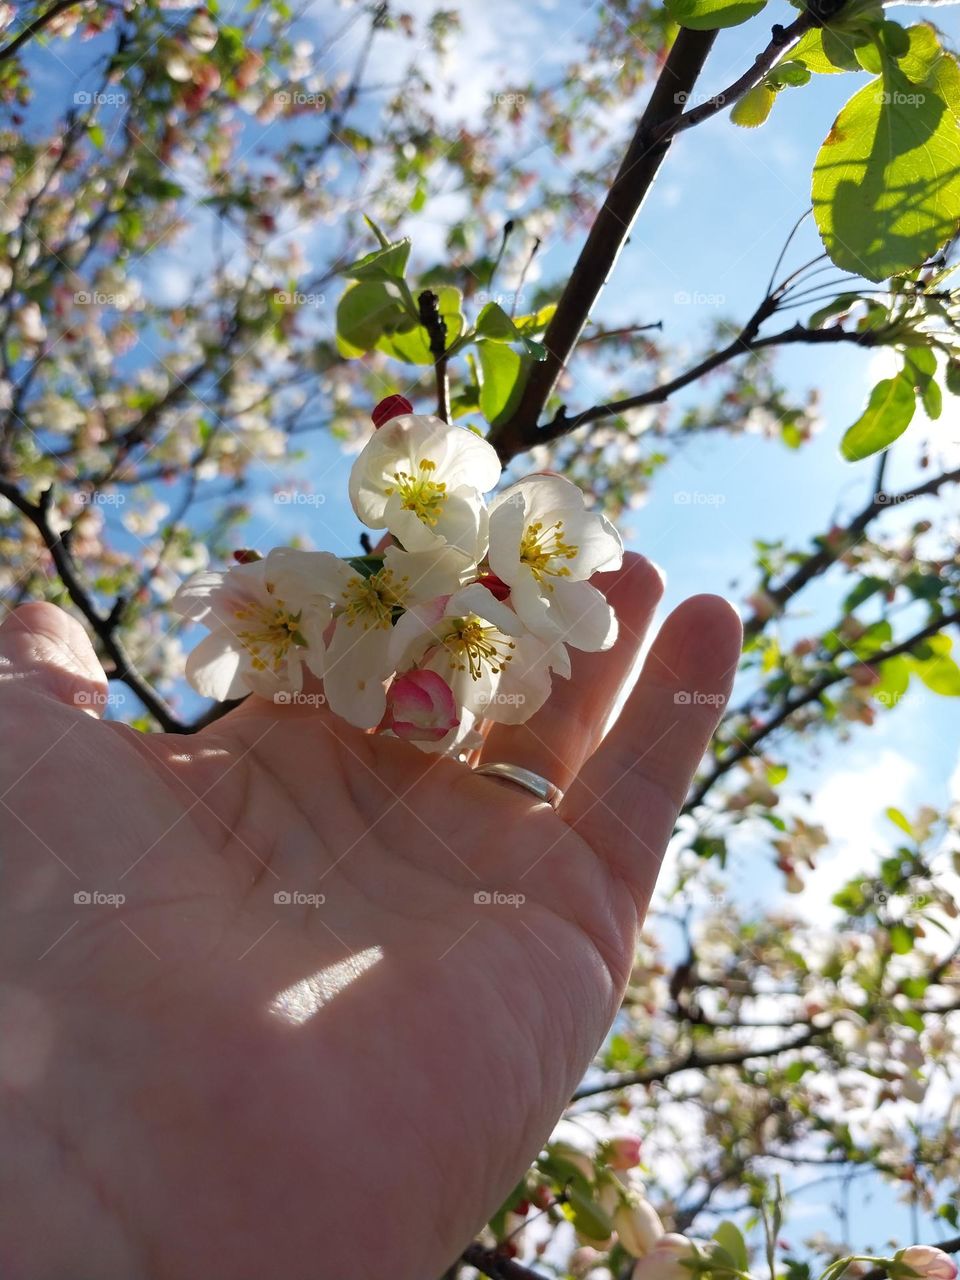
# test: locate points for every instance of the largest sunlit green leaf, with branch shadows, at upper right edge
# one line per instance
(886, 184)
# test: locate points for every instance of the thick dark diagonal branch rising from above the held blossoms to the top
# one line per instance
(607, 237)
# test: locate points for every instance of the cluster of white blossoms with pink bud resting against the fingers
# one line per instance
(464, 615)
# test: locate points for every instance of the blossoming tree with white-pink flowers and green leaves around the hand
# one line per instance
(134, 435)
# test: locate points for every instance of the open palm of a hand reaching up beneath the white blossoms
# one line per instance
(207, 1082)
